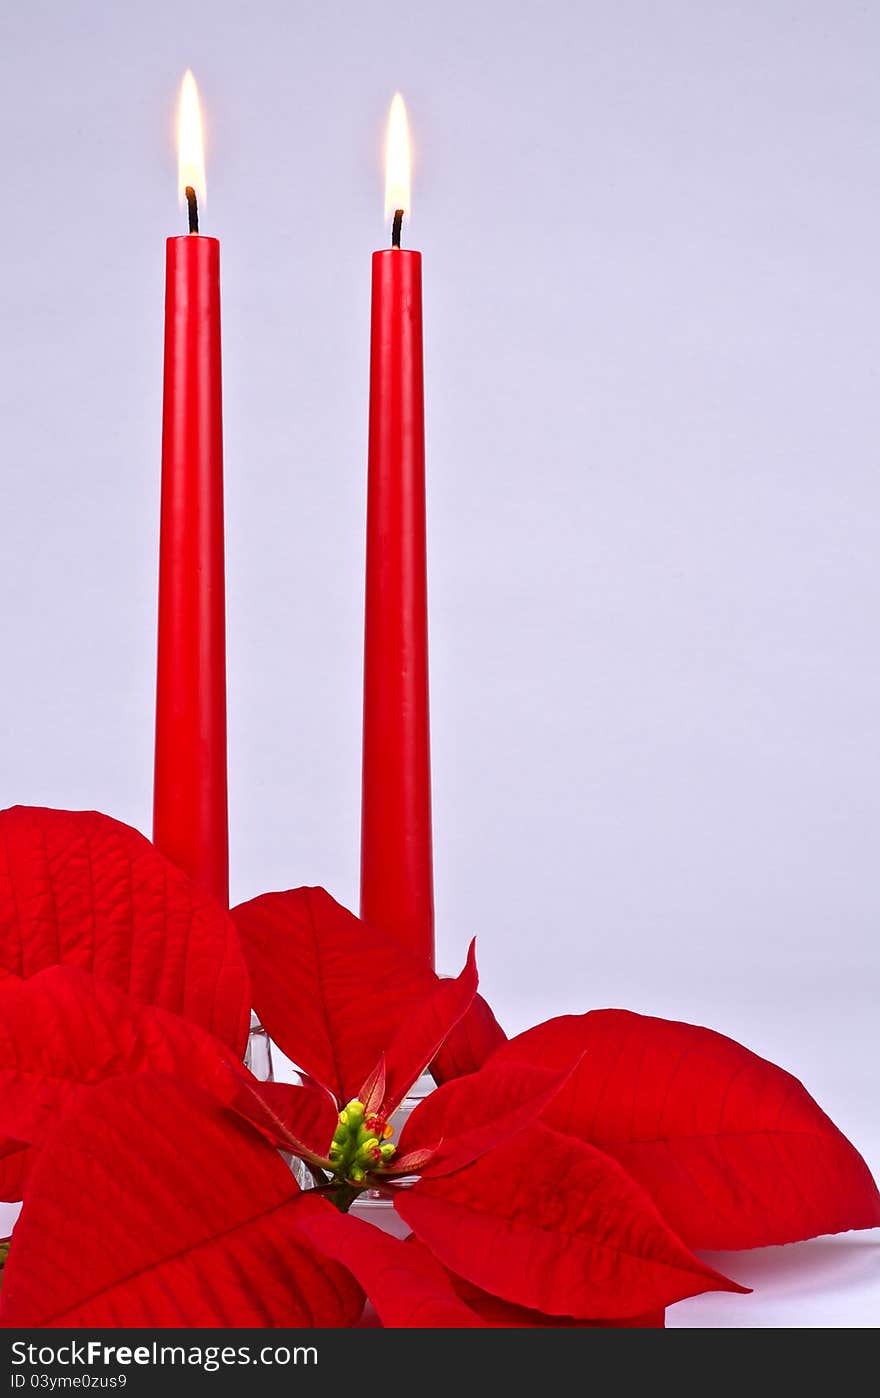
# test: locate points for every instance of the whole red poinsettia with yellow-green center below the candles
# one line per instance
(562, 1178)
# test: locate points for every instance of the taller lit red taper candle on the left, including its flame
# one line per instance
(190, 807)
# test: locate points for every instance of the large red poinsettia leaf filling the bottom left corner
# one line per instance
(155, 1207)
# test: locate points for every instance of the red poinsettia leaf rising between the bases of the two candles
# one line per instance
(329, 989)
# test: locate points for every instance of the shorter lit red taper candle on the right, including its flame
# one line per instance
(397, 851)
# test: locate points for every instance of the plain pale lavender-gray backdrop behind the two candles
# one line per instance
(651, 240)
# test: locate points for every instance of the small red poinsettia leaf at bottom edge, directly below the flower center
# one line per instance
(408, 1288)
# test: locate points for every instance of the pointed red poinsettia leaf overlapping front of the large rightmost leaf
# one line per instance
(558, 1227)
